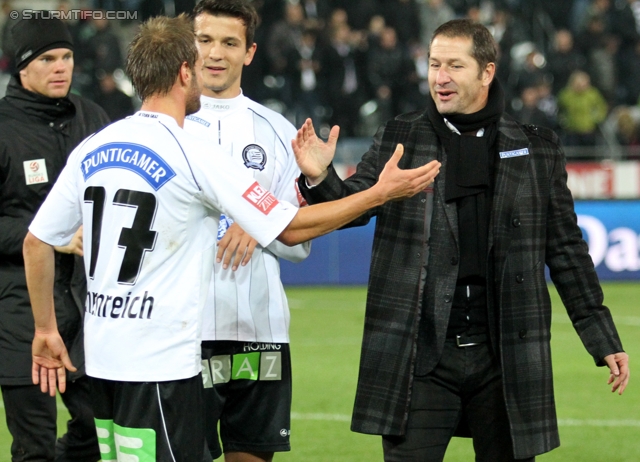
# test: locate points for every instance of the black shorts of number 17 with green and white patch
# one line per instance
(155, 421)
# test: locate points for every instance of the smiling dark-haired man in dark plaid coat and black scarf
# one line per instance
(457, 326)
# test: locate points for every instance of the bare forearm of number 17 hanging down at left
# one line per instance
(39, 263)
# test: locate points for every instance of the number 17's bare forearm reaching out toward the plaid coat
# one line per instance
(317, 220)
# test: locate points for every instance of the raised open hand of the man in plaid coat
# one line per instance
(312, 154)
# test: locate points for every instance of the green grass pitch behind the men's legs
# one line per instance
(326, 329)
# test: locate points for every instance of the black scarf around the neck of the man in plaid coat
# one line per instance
(468, 176)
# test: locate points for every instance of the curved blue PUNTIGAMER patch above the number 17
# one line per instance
(134, 157)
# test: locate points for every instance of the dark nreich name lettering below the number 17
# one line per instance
(129, 307)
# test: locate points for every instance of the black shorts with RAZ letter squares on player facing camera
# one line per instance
(247, 389)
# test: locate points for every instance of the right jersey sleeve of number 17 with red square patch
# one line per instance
(229, 189)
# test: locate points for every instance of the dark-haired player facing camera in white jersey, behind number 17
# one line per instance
(247, 309)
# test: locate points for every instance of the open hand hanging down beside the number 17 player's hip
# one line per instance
(49, 360)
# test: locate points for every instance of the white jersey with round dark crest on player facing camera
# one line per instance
(250, 304)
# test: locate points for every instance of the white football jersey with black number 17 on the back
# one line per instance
(144, 189)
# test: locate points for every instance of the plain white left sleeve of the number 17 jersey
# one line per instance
(60, 215)
